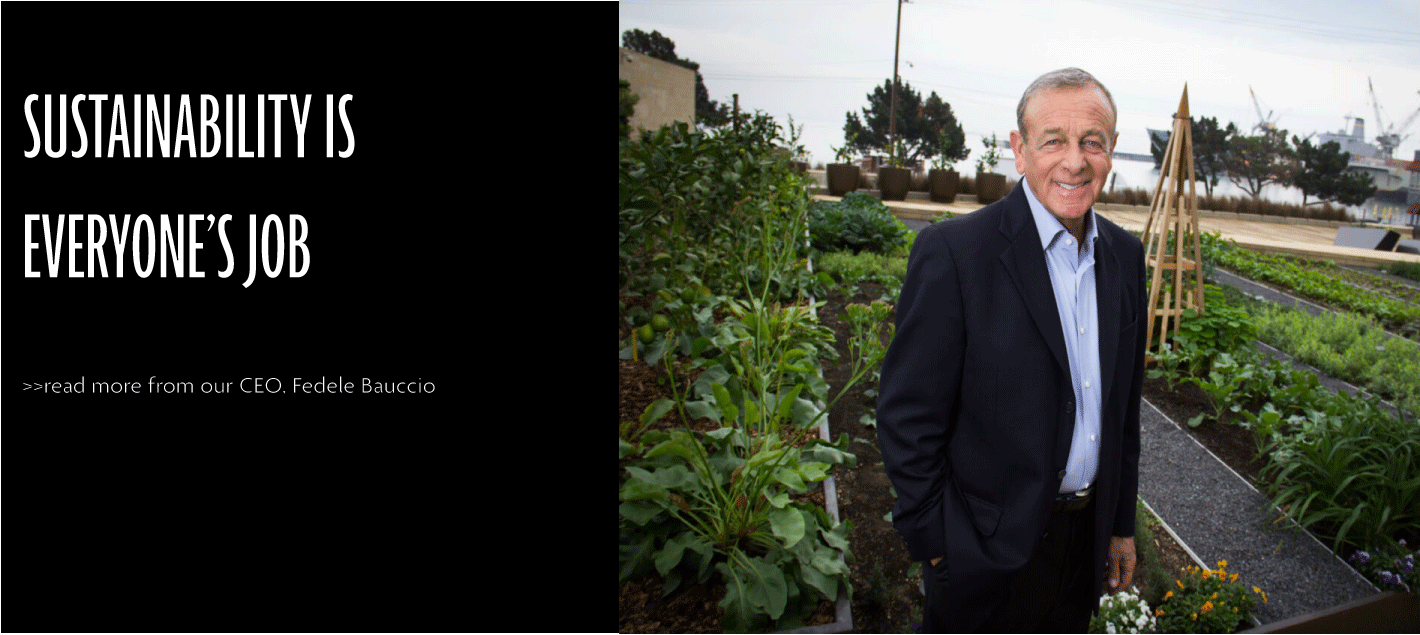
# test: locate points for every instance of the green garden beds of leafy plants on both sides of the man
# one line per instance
(750, 316)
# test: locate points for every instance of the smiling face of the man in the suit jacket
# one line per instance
(1069, 154)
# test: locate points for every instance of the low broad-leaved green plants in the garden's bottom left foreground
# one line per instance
(732, 492)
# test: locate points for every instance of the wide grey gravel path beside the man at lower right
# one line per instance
(1219, 516)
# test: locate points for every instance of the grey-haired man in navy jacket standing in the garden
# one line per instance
(1009, 408)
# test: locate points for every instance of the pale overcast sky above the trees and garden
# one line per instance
(1306, 60)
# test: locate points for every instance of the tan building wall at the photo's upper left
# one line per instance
(668, 92)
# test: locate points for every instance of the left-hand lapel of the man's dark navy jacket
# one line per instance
(1026, 262)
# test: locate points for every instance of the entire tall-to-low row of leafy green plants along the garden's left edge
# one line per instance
(712, 238)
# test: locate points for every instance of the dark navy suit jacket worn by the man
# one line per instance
(976, 407)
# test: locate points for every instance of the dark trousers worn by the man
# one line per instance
(1050, 595)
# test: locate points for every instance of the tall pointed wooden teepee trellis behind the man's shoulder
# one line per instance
(1174, 215)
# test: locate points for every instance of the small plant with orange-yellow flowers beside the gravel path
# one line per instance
(1208, 602)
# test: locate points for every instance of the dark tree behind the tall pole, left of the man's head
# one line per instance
(921, 126)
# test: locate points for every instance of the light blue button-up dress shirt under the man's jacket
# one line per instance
(1073, 276)
